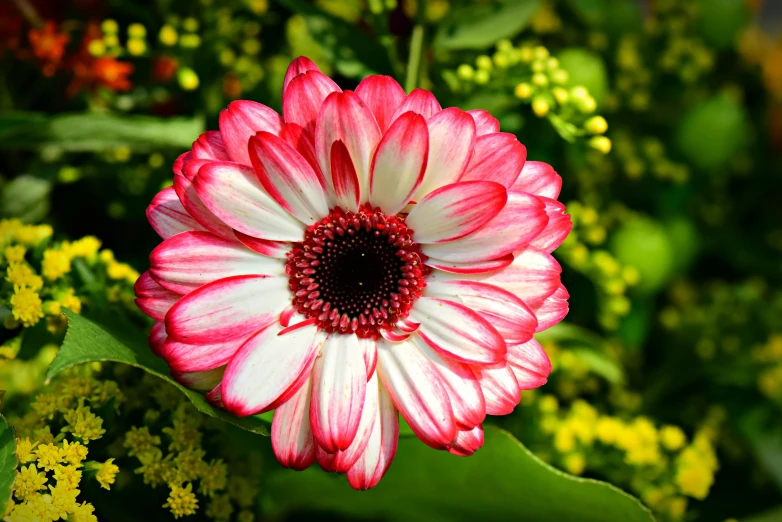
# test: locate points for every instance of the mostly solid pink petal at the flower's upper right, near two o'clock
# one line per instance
(498, 157)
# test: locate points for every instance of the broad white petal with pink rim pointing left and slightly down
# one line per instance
(226, 309)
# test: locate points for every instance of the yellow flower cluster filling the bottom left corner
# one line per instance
(51, 467)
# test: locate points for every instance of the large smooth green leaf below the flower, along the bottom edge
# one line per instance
(502, 481)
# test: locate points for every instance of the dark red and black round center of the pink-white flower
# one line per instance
(356, 272)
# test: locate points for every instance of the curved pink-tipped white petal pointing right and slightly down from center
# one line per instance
(508, 314)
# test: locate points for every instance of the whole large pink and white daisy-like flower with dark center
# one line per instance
(364, 254)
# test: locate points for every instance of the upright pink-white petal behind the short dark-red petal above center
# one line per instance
(345, 117)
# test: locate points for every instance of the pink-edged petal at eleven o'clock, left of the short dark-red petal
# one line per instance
(288, 178)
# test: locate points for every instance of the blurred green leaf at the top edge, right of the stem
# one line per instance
(480, 26)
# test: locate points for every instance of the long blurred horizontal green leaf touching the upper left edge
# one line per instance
(96, 131)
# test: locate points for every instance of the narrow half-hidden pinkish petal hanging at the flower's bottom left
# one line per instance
(292, 440)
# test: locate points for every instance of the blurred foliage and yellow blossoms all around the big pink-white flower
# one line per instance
(664, 118)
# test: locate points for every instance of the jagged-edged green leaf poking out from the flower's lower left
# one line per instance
(86, 342)
